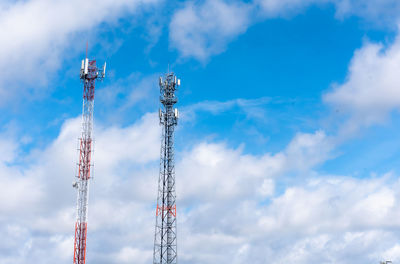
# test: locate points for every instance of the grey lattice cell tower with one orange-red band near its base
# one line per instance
(165, 244)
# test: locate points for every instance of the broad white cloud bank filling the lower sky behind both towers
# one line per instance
(230, 203)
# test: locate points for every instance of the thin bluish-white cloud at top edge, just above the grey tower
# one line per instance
(202, 30)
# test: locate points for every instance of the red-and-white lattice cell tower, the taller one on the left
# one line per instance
(89, 74)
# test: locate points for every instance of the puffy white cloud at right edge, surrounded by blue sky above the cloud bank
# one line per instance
(370, 91)
